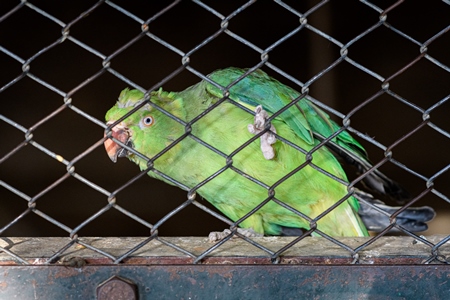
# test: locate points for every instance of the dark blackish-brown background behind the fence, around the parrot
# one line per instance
(29, 30)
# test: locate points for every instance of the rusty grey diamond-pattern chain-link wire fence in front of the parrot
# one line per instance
(185, 57)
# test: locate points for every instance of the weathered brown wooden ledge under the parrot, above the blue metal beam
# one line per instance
(386, 250)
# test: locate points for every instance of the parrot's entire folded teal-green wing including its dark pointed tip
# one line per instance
(307, 120)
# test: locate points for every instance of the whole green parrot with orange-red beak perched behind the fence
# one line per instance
(308, 179)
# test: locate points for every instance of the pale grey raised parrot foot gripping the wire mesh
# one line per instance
(268, 138)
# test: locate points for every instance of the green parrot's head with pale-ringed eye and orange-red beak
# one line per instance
(147, 130)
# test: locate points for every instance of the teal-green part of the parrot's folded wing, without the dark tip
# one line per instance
(304, 118)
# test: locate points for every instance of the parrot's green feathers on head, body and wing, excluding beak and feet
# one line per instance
(225, 128)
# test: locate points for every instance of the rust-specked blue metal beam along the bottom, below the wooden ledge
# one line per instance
(228, 282)
